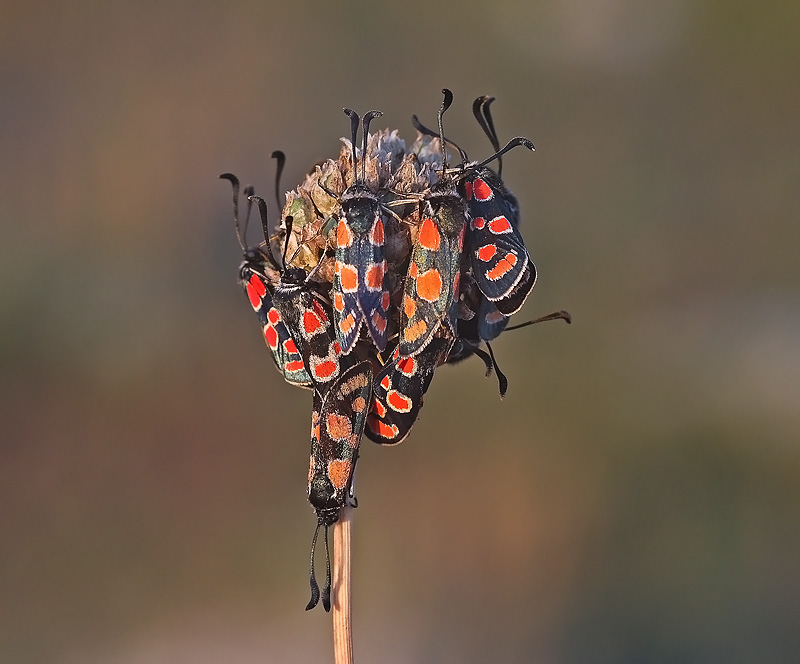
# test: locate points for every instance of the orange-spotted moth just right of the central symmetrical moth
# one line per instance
(430, 294)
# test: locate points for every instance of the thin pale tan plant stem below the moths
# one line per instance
(341, 595)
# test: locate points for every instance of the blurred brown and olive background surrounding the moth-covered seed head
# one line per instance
(636, 496)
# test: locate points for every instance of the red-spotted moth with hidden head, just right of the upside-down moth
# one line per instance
(399, 389)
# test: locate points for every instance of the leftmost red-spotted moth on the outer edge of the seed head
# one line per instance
(258, 274)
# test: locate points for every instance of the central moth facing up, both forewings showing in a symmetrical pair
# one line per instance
(360, 295)
